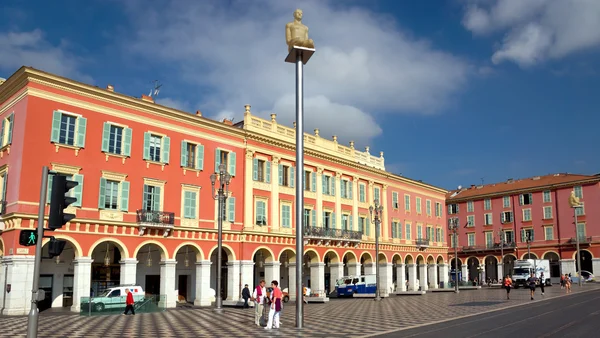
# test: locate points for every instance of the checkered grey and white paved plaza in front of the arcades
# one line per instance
(339, 317)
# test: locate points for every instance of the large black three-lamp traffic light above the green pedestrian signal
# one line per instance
(59, 201)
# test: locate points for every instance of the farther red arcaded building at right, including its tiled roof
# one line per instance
(532, 218)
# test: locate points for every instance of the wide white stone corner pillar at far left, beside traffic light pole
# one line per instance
(18, 273)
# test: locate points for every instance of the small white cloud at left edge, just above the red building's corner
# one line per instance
(31, 49)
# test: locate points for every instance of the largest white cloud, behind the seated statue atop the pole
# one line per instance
(364, 64)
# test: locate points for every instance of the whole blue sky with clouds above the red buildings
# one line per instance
(454, 92)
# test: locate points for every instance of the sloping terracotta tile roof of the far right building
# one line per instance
(524, 184)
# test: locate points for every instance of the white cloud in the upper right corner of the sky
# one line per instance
(536, 30)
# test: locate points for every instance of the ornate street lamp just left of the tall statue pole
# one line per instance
(221, 196)
